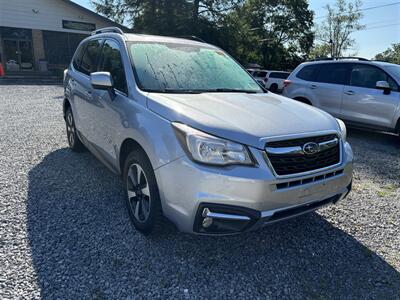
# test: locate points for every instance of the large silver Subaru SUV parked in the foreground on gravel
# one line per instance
(196, 139)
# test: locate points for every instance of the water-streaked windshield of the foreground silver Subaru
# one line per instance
(174, 67)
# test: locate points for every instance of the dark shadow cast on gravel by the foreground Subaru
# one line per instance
(83, 246)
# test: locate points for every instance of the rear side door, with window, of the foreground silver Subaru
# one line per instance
(83, 98)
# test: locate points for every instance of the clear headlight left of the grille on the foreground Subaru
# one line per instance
(209, 149)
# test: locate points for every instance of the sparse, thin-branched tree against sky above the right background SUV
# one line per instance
(340, 22)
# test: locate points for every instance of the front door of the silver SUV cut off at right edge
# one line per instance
(363, 103)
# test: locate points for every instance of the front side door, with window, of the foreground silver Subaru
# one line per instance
(108, 109)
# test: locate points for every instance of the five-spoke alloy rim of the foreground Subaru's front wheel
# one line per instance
(138, 193)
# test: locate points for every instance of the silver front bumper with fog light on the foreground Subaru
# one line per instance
(252, 195)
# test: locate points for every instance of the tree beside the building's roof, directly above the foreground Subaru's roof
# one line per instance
(165, 16)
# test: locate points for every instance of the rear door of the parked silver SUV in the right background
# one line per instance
(327, 90)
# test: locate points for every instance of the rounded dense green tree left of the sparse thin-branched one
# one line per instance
(276, 34)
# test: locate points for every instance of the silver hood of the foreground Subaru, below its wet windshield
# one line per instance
(245, 118)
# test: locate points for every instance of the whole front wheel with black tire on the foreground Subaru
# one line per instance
(150, 221)
